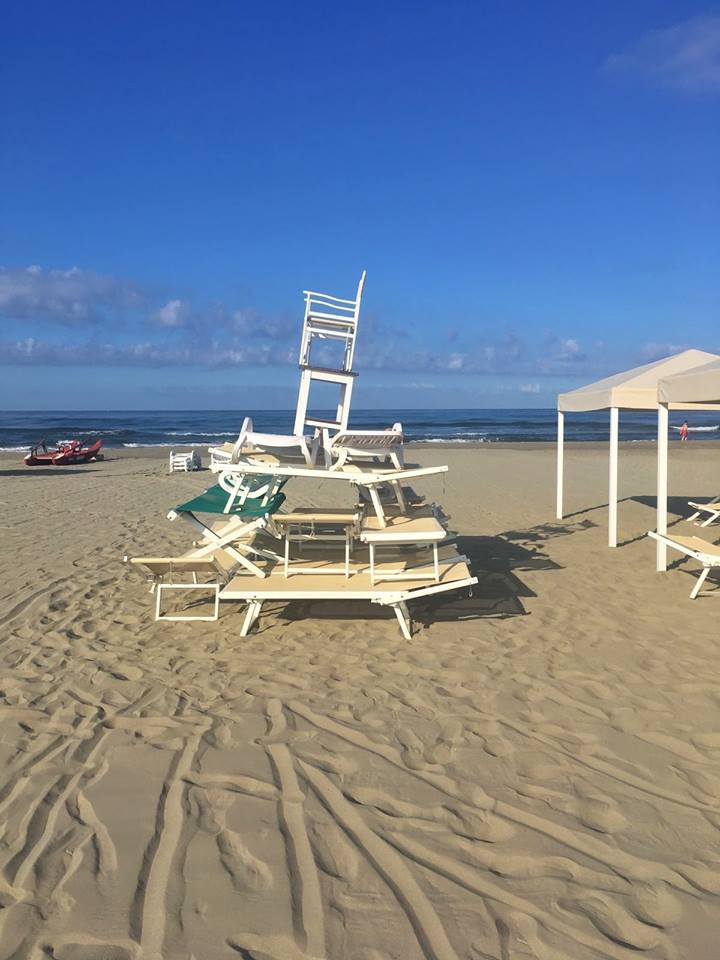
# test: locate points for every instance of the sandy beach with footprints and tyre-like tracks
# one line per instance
(536, 774)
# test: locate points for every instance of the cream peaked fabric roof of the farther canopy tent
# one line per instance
(636, 389)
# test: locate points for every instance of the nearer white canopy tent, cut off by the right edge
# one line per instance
(698, 388)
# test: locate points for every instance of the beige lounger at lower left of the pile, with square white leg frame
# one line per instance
(163, 573)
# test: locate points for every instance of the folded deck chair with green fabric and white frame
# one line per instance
(235, 539)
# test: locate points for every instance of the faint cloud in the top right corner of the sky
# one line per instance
(685, 56)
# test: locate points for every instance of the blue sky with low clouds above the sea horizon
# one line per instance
(532, 187)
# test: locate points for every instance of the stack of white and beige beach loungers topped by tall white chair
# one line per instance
(387, 546)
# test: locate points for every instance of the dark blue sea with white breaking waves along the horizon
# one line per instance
(185, 428)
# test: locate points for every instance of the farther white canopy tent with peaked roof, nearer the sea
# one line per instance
(635, 389)
